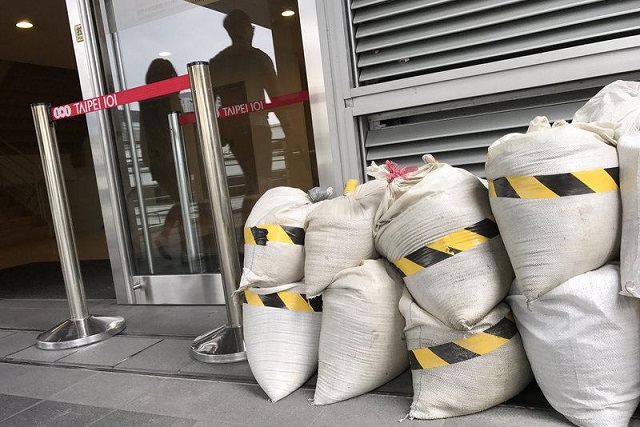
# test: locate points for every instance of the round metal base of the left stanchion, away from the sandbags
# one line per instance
(77, 333)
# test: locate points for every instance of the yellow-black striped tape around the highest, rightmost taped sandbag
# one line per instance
(557, 185)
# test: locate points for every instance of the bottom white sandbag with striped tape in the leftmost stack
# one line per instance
(281, 335)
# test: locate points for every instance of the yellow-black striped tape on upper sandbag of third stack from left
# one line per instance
(448, 246)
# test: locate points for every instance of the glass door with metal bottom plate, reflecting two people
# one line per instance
(255, 53)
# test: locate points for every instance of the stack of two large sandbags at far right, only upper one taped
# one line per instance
(554, 193)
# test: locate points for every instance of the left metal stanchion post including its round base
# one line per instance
(81, 328)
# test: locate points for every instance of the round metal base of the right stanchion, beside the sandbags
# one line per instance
(222, 345)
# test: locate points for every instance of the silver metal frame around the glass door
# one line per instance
(170, 289)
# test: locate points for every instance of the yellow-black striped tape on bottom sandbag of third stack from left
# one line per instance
(464, 349)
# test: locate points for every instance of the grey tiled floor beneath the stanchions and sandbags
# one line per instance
(146, 377)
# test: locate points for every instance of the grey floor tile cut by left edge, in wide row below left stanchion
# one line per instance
(38, 381)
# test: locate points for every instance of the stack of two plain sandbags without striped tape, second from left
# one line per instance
(361, 339)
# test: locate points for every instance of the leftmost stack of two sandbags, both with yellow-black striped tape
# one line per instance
(281, 325)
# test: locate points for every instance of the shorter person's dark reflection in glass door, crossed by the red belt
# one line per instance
(157, 149)
